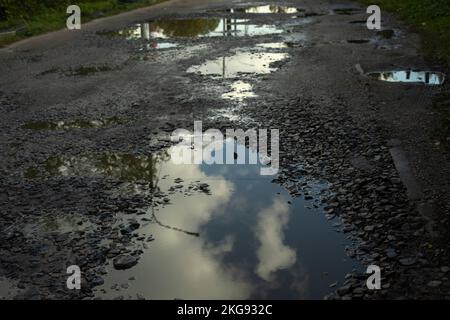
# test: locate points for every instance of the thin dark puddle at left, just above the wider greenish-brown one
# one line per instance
(73, 124)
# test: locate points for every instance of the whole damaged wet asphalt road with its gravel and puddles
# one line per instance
(86, 179)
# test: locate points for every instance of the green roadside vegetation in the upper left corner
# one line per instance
(21, 19)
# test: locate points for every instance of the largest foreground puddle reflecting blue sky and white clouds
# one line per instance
(239, 236)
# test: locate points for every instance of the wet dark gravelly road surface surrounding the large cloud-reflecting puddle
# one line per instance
(82, 110)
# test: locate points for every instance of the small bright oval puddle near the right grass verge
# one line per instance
(425, 77)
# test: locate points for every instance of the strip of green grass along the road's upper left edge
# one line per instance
(52, 19)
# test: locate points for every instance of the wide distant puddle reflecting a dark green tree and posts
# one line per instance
(192, 28)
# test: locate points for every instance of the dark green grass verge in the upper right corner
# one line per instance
(430, 18)
